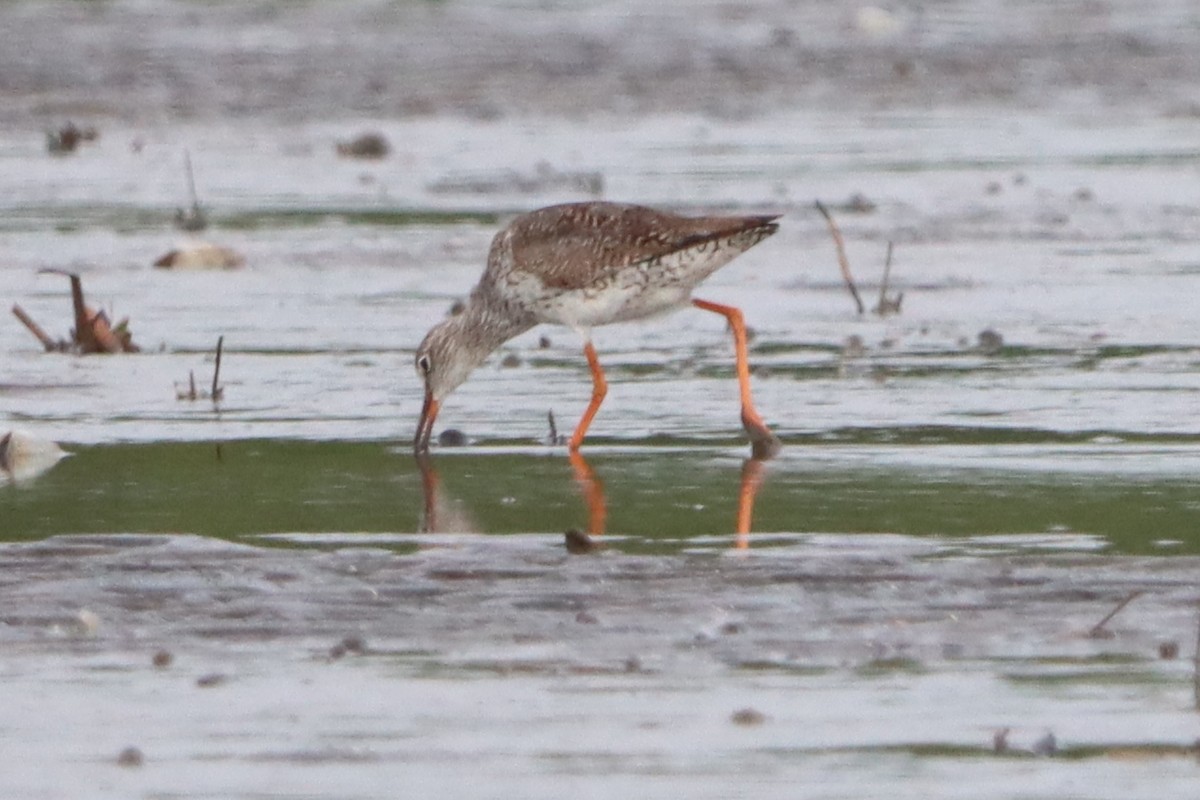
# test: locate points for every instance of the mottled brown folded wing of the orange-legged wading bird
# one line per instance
(572, 246)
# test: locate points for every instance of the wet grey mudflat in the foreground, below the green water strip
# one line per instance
(505, 666)
